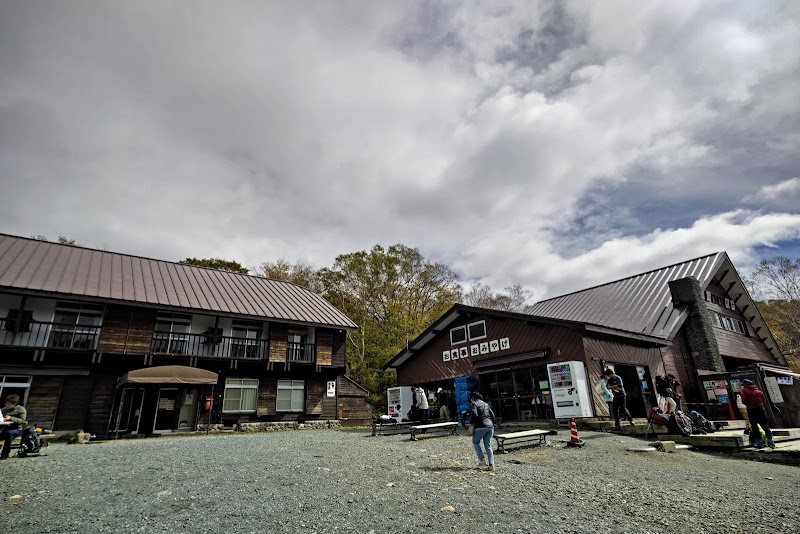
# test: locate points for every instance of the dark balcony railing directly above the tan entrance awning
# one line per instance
(209, 345)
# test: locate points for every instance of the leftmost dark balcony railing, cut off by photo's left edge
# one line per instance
(38, 334)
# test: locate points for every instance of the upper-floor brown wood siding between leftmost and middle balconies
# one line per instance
(127, 330)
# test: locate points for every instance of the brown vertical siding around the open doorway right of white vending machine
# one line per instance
(601, 349)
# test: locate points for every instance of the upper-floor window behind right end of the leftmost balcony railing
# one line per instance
(75, 326)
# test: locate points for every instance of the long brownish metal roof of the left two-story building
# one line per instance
(41, 266)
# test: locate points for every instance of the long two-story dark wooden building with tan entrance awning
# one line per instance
(113, 343)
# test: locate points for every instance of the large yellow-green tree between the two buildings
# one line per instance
(393, 295)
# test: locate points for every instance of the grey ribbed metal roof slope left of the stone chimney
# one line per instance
(640, 303)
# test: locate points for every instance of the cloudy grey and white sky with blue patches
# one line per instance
(554, 144)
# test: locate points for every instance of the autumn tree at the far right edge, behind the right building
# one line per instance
(776, 281)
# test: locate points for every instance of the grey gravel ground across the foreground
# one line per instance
(348, 481)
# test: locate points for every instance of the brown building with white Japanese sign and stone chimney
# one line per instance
(687, 319)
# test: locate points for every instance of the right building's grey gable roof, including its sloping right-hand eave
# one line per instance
(643, 303)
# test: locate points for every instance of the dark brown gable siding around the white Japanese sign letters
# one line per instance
(428, 364)
